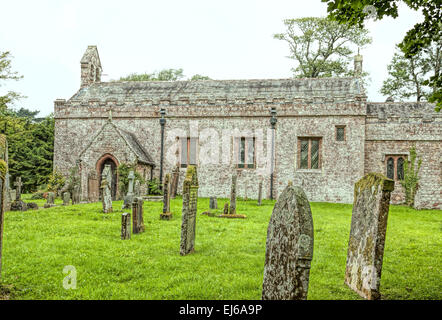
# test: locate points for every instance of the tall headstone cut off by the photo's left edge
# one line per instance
(3, 189)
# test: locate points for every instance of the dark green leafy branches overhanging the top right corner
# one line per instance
(354, 12)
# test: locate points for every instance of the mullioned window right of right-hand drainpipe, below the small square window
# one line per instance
(309, 153)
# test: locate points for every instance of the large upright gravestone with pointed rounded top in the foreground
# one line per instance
(289, 247)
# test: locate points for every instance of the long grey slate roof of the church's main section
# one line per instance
(230, 89)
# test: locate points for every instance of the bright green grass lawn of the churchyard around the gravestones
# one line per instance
(228, 262)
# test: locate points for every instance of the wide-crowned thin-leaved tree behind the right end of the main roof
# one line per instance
(321, 46)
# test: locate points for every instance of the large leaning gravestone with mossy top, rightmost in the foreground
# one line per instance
(367, 234)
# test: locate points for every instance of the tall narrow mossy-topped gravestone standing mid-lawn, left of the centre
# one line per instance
(190, 201)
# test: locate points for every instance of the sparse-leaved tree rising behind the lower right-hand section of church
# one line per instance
(407, 75)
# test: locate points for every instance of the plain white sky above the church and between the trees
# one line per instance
(223, 39)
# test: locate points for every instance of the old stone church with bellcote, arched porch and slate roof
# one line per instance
(322, 134)
